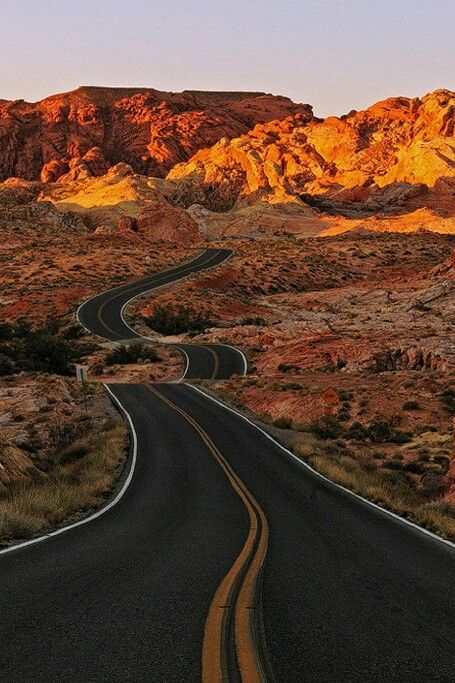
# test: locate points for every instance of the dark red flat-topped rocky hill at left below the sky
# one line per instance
(84, 132)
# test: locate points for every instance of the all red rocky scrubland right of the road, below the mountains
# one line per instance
(367, 314)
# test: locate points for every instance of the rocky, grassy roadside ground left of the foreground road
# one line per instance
(58, 461)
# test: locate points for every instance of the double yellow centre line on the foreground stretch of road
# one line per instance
(214, 654)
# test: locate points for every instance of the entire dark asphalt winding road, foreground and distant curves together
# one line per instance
(222, 556)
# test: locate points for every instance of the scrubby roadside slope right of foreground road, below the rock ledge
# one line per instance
(392, 450)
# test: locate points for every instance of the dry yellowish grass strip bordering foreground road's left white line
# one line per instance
(79, 478)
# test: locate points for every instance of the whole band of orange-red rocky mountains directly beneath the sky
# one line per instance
(389, 168)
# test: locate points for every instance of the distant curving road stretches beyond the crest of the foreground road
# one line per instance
(103, 316)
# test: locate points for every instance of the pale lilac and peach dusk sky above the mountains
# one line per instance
(335, 54)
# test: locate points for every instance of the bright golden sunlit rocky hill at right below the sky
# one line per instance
(387, 155)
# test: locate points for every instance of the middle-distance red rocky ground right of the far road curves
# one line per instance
(359, 301)
